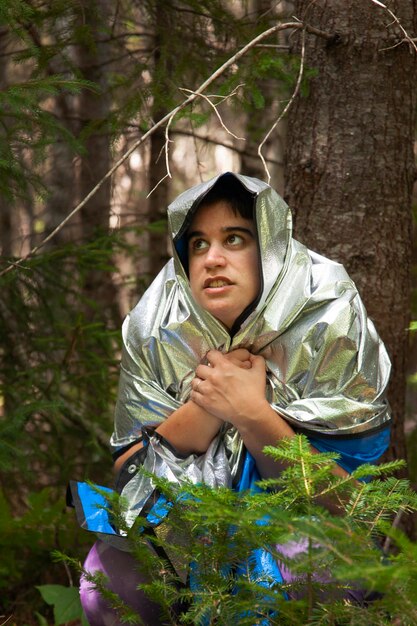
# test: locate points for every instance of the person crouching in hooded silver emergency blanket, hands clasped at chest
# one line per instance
(244, 338)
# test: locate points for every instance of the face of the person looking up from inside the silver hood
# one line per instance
(223, 261)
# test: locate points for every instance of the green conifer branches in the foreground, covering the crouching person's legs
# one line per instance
(217, 532)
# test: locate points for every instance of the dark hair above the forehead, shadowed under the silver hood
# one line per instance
(230, 190)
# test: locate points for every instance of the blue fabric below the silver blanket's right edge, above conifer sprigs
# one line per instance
(354, 451)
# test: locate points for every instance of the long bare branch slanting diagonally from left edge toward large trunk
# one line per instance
(169, 116)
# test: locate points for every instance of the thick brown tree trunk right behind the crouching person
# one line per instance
(350, 166)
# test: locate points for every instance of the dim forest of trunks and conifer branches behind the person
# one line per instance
(129, 103)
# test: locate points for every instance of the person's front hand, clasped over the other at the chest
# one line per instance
(229, 390)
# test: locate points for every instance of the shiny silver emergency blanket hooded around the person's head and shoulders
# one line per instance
(327, 368)
